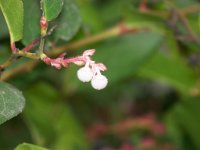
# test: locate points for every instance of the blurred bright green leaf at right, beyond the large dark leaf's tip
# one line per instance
(168, 67)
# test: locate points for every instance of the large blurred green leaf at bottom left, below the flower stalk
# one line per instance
(59, 126)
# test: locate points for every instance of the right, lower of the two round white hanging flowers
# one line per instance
(99, 82)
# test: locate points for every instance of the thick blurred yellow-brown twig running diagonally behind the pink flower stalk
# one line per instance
(115, 31)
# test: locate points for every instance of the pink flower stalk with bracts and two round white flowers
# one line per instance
(91, 71)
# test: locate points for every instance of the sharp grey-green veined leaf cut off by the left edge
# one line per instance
(11, 102)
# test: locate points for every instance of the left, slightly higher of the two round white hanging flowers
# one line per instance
(85, 74)
